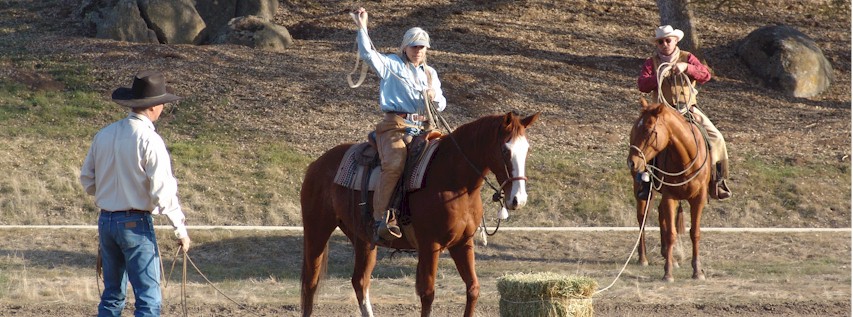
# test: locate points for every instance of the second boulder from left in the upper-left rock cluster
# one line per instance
(174, 21)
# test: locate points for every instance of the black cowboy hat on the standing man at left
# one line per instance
(149, 89)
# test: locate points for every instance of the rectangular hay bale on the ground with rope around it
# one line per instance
(546, 294)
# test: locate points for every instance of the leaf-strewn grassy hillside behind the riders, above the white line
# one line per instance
(252, 120)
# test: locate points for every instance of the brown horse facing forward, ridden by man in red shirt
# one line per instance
(674, 152)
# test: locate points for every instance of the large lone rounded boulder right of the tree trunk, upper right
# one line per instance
(786, 59)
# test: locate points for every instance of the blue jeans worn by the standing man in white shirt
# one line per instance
(129, 252)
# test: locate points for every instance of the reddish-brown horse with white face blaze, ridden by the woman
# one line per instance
(445, 212)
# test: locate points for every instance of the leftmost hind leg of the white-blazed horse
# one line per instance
(315, 254)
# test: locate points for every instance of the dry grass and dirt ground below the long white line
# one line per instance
(748, 274)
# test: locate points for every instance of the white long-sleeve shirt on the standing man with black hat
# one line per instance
(128, 167)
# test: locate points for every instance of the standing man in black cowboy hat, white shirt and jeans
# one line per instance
(128, 170)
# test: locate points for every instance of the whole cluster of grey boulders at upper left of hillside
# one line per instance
(243, 22)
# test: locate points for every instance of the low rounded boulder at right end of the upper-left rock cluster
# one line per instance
(254, 31)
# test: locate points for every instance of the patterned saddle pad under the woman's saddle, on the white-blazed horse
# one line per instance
(350, 173)
